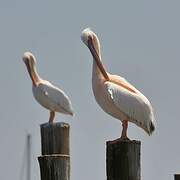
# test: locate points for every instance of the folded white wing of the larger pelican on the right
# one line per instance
(135, 105)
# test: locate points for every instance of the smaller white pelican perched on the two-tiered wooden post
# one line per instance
(45, 93)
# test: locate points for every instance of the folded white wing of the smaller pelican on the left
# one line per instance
(53, 98)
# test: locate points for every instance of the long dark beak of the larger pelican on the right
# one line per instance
(97, 58)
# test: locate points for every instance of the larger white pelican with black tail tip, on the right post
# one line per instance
(115, 95)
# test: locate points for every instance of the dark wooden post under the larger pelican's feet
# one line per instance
(123, 160)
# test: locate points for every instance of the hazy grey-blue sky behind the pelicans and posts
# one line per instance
(140, 40)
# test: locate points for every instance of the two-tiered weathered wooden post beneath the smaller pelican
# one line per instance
(55, 160)
